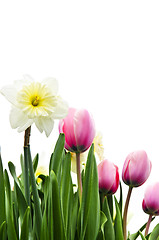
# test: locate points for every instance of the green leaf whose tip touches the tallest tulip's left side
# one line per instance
(57, 154)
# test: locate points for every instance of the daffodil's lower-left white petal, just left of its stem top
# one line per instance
(19, 120)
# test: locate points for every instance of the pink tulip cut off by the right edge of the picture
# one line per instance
(150, 202)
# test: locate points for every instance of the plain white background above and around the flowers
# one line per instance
(105, 55)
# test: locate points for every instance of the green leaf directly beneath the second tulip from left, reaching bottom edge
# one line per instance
(108, 227)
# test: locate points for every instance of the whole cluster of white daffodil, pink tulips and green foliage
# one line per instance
(52, 206)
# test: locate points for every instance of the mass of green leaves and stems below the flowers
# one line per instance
(52, 210)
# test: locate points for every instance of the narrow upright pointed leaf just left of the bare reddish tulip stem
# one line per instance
(118, 223)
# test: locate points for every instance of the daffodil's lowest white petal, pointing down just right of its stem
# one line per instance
(44, 124)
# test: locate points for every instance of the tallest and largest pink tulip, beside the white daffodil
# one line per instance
(79, 130)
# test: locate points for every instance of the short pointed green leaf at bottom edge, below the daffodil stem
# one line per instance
(25, 225)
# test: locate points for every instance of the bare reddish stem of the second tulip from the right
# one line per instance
(125, 212)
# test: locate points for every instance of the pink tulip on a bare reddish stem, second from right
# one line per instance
(136, 169)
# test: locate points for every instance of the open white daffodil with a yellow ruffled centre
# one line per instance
(35, 102)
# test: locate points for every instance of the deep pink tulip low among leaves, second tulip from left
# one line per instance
(108, 177)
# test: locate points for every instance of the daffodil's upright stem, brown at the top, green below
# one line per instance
(26, 166)
